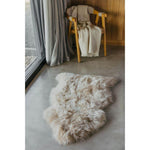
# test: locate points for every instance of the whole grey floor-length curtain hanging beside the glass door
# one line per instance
(51, 31)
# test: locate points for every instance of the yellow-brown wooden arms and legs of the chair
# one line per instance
(75, 31)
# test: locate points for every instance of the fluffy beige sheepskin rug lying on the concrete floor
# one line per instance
(77, 104)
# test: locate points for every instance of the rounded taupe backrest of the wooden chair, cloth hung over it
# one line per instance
(81, 12)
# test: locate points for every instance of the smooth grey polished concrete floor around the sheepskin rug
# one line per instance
(110, 137)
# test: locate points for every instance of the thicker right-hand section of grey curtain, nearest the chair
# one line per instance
(57, 47)
